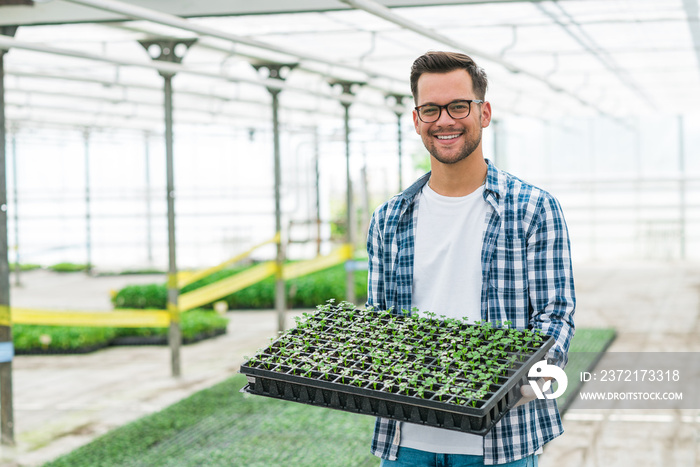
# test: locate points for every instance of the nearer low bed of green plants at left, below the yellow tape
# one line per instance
(32, 340)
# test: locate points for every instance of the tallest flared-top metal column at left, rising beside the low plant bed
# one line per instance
(170, 50)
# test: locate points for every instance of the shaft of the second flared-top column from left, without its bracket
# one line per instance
(280, 292)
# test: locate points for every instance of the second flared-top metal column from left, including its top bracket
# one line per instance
(277, 71)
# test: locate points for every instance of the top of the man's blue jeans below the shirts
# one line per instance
(407, 457)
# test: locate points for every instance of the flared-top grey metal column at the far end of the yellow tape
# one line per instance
(347, 89)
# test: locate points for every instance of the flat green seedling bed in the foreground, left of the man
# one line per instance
(221, 427)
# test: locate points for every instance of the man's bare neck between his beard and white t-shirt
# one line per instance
(458, 179)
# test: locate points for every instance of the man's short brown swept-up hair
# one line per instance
(444, 62)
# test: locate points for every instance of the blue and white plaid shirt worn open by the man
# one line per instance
(526, 279)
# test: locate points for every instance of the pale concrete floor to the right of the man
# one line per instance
(654, 308)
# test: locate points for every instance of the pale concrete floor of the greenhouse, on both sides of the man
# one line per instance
(62, 402)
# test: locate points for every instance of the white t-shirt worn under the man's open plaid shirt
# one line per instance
(447, 281)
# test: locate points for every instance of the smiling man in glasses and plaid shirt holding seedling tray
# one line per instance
(468, 239)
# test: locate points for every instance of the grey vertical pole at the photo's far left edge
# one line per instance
(7, 436)
